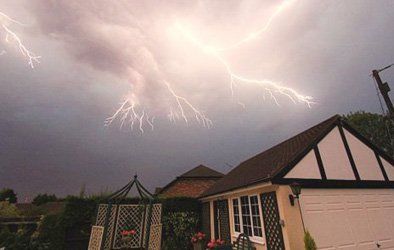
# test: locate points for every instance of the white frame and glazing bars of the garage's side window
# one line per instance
(256, 239)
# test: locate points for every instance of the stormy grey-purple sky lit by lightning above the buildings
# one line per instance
(168, 61)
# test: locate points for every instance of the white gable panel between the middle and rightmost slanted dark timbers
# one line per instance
(364, 159)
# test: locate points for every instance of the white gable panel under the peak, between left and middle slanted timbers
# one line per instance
(335, 160)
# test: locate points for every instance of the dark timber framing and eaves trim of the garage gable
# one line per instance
(278, 175)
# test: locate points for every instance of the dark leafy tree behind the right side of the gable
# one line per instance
(377, 128)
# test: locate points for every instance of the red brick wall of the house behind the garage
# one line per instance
(188, 187)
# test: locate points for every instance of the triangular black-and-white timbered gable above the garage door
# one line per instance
(342, 155)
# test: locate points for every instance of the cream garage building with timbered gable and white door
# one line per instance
(329, 180)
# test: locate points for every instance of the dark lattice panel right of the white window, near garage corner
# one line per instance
(273, 229)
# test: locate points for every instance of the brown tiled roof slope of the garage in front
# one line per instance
(267, 164)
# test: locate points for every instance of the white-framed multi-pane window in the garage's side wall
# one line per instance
(247, 216)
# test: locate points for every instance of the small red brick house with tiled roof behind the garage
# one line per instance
(191, 184)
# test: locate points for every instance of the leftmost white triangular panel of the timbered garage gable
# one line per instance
(307, 168)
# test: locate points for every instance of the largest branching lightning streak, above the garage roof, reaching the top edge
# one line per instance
(269, 86)
